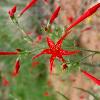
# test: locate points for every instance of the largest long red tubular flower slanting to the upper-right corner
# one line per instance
(86, 14)
